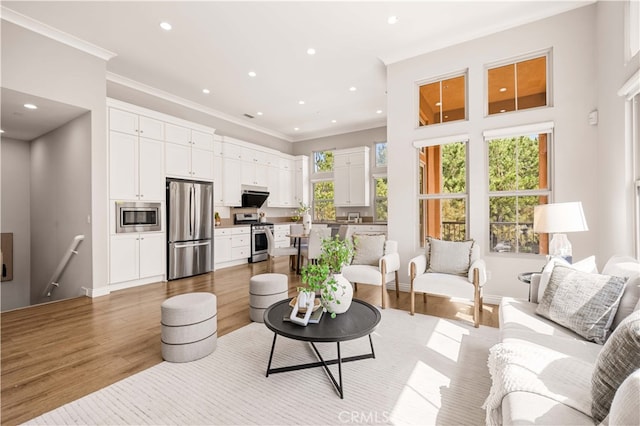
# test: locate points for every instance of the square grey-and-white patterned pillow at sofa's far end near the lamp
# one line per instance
(583, 302)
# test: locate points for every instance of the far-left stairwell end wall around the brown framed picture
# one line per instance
(15, 178)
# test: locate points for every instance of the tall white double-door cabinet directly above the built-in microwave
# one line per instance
(135, 168)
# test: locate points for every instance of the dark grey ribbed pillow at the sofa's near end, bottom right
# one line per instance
(618, 359)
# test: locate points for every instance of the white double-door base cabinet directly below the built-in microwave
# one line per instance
(136, 256)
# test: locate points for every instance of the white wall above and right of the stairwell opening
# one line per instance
(37, 65)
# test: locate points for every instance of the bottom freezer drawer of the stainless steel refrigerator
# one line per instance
(189, 258)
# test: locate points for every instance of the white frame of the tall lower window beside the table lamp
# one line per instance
(513, 132)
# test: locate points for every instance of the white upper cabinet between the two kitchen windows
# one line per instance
(351, 177)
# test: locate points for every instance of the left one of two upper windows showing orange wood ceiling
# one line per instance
(443, 100)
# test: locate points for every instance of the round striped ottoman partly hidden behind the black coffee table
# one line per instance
(264, 291)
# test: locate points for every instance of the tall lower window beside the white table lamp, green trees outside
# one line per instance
(518, 181)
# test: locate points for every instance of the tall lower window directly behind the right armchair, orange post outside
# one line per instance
(443, 190)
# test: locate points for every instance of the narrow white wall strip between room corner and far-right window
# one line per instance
(615, 161)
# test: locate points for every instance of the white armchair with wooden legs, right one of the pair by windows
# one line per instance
(449, 269)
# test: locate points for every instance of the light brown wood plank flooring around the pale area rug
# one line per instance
(55, 353)
